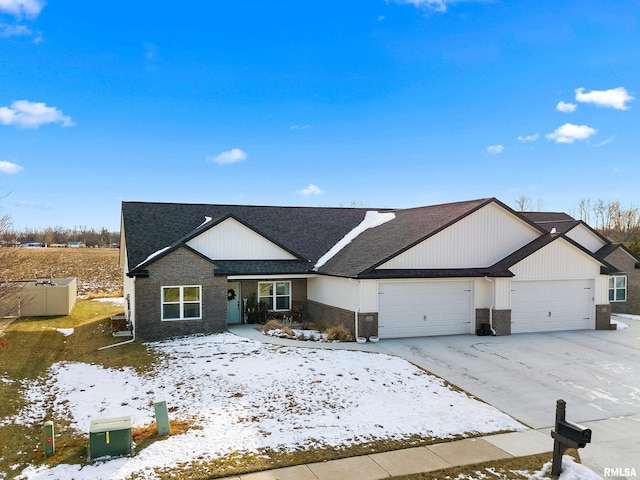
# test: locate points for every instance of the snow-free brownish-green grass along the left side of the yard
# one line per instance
(33, 346)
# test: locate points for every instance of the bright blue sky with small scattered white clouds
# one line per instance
(393, 103)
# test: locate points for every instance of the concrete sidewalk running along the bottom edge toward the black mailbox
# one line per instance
(415, 460)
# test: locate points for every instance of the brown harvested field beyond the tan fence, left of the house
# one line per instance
(96, 269)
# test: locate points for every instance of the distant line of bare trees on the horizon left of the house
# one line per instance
(60, 236)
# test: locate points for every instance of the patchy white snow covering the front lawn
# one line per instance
(245, 396)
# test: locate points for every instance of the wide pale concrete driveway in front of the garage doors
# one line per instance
(596, 372)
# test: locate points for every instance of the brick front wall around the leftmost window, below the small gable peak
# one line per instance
(179, 268)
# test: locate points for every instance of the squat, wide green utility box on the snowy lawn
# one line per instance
(110, 437)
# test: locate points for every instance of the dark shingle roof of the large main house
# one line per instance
(307, 232)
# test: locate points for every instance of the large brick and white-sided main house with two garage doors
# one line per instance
(457, 268)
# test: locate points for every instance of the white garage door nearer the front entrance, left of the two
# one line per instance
(418, 309)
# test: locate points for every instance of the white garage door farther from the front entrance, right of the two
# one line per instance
(546, 306)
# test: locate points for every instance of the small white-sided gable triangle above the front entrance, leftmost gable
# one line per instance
(231, 240)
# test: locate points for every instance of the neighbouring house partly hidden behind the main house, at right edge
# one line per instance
(624, 282)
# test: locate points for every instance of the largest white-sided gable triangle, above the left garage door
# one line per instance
(478, 240)
